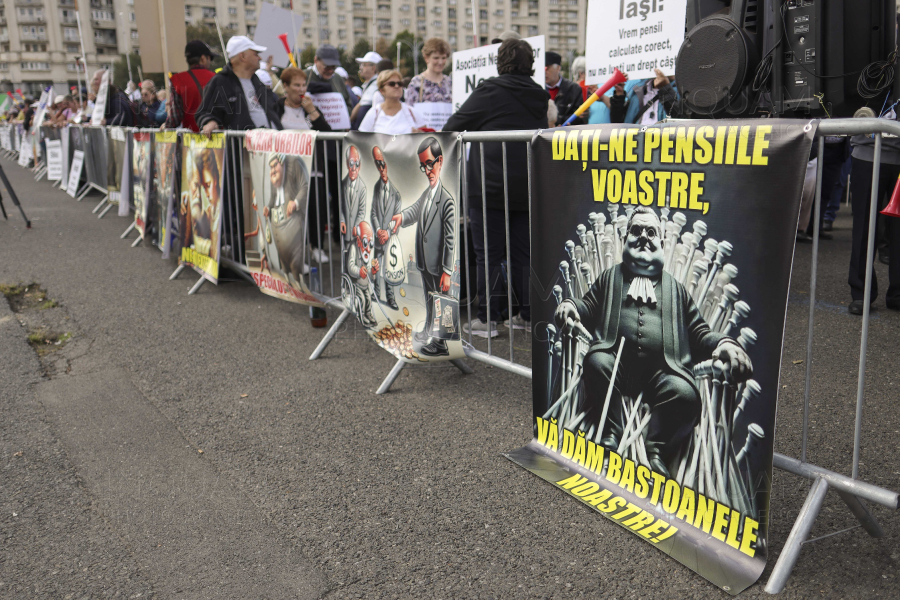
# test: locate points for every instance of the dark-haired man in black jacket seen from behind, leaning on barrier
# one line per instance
(510, 101)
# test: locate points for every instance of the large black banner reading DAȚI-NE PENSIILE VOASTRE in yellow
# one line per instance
(661, 261)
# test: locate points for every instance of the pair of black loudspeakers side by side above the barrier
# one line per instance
(808, 54)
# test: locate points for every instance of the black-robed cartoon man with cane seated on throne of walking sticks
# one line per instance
(665, 336)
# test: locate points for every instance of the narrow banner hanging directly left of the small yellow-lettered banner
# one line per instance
(165, 180)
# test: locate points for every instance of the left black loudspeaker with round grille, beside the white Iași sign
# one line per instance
(720, 55)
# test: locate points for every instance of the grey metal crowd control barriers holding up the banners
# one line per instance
(850, 489)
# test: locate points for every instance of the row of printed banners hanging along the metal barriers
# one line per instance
(655, 377)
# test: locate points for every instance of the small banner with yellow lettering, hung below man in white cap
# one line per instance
(200, 207)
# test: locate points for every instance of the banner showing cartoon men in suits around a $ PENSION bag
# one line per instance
(399, 221)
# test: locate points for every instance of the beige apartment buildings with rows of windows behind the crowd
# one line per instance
(39, 39)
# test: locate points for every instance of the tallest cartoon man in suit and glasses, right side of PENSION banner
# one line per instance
(435, 214)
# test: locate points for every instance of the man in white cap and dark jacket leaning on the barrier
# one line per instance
(235, 98)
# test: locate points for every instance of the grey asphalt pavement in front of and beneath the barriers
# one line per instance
(184, 447)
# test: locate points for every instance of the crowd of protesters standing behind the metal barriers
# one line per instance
(249, 93)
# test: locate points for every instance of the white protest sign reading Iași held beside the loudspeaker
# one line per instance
(634, 36)
